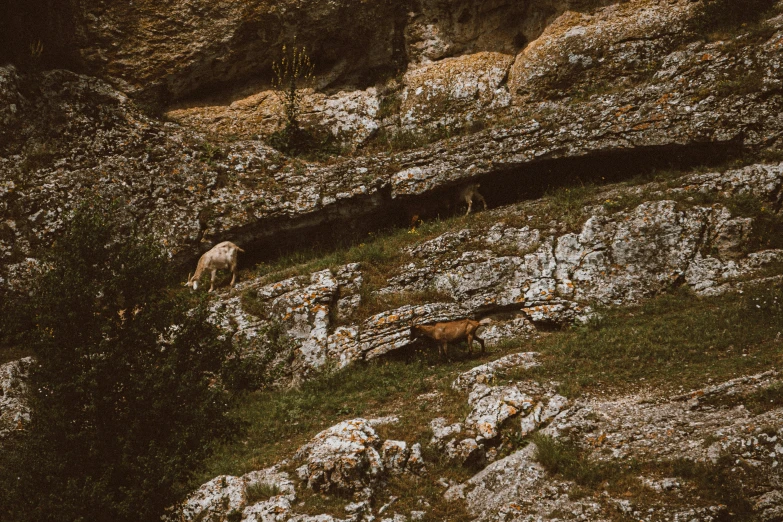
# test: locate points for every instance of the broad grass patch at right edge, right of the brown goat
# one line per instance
(676, 339)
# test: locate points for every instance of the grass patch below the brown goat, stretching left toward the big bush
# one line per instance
(277, 422)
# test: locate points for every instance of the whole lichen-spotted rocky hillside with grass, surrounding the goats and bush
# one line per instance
(628, 269)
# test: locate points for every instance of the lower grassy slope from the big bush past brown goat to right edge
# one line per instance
(674, 342)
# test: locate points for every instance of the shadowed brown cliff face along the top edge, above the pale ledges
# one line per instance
(204, 47)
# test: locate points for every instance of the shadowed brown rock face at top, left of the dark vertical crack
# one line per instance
(211, 44)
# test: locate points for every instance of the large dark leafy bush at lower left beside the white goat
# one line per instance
(122, 392)
